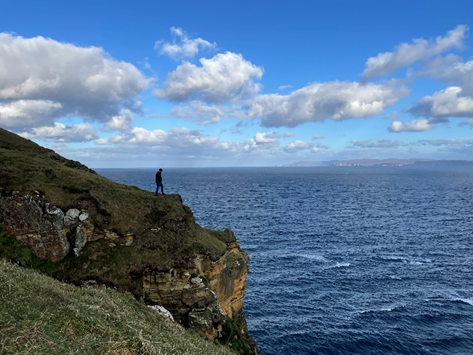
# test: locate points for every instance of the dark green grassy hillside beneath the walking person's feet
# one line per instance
(26, 167)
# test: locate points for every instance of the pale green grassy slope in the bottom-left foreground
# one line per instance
(40, 315)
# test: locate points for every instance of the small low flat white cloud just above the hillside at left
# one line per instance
(61, 133)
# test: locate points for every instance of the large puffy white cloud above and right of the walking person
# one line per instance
(225, 77)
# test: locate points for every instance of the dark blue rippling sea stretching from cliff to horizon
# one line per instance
(343, 260)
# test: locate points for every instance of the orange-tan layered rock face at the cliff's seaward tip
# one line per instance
(204, 296)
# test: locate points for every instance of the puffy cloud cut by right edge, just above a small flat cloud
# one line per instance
(445, 103)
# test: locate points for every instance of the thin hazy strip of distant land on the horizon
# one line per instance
(381, 162)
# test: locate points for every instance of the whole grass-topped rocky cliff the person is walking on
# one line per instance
(60, 217)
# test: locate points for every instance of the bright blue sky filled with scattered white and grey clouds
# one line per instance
(121, 84)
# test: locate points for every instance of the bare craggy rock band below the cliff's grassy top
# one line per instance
(205, 292)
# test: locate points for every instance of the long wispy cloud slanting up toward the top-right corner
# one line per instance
(406, 54)
